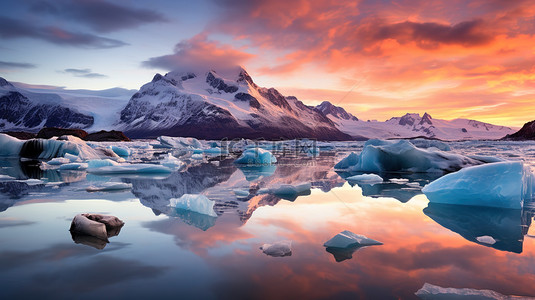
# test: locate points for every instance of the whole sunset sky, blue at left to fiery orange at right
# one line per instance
(377, 59)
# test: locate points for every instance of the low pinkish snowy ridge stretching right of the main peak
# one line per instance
(413, 125)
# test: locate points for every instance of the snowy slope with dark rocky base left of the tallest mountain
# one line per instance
(27, 108)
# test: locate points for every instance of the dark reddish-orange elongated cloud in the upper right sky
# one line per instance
(429, 35)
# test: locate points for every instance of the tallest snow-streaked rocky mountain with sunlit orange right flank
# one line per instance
(212, 105)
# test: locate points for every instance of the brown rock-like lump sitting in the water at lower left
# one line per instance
(99, 226)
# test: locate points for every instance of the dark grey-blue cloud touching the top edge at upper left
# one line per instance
(100, 15)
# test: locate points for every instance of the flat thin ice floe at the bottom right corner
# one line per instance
(432, 292)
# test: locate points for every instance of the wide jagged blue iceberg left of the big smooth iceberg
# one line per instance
(402, 156)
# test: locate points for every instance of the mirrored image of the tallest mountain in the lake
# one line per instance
(219, 181)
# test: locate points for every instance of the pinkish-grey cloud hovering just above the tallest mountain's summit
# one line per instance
(200, 54)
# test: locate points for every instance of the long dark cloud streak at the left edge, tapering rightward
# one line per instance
(11, 29)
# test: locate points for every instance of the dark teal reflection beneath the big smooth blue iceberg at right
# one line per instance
(506, 226)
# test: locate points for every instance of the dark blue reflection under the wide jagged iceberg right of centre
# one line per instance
(400, 186)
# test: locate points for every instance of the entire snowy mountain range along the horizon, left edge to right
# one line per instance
(212, 105)
